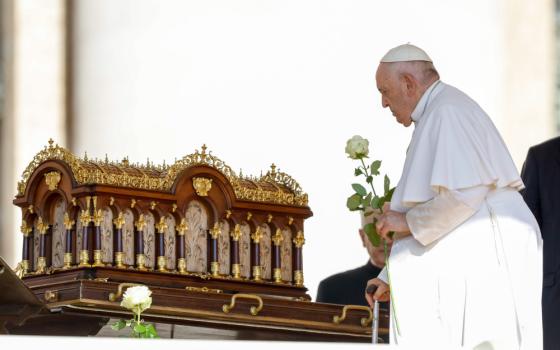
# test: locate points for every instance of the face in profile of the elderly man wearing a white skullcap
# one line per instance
(395, 94)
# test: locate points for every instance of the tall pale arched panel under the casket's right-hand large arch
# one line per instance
(196, 240)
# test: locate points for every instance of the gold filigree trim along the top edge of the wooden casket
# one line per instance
(273, 187)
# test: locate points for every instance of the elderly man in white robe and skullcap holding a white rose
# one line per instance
(466, 264)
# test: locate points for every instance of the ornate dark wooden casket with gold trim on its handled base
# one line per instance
(222, 253)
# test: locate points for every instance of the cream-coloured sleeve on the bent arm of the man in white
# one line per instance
(435, 218)
